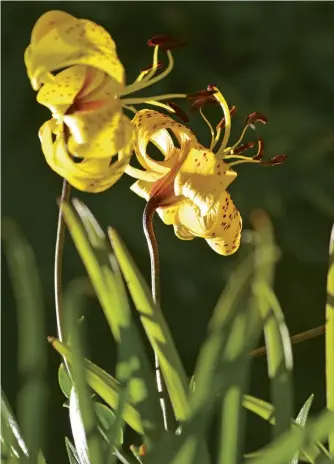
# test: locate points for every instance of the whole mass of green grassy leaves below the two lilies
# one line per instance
(219, 385)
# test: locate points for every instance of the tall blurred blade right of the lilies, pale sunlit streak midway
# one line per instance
(279, 352)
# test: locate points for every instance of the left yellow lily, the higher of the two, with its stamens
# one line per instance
(85, 97)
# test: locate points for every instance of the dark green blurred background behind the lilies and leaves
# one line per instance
(276, 58)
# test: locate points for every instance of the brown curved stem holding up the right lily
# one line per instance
(167, 411)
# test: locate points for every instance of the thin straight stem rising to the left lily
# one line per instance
(59, 248)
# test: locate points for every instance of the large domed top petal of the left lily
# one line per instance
(70, 41)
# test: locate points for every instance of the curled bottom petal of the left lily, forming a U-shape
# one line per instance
(90, 175)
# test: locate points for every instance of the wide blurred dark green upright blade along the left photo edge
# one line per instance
(32, 344)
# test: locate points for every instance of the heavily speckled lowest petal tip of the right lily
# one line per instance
(225, 238)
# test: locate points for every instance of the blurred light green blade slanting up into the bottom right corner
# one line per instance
(283, 448)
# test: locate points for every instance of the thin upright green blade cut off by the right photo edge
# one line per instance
(330, 339)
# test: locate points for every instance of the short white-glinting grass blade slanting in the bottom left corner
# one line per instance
(11, 434)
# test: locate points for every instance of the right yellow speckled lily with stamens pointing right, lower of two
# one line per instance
(190, 182)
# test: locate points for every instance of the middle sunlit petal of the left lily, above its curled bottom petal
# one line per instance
(99, 133)
